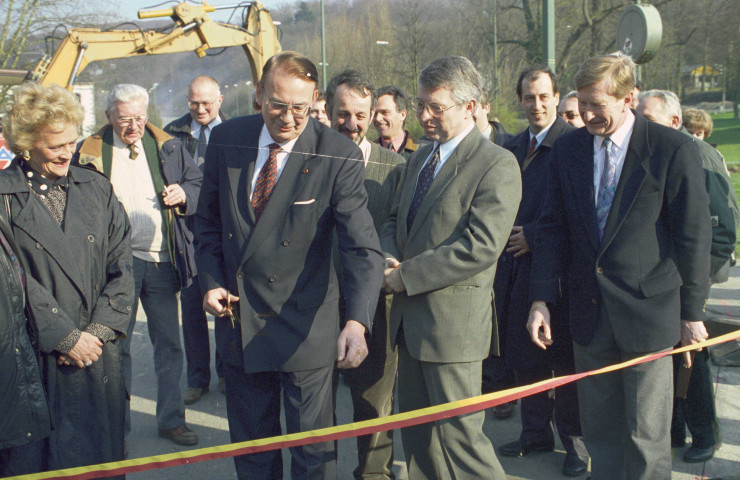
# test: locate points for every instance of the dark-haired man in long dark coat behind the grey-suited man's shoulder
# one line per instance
(538, 96)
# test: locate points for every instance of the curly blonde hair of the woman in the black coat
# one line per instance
(34, 107)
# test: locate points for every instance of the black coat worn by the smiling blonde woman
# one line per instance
(87, 271)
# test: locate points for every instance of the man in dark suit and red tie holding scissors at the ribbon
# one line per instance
(276, 188)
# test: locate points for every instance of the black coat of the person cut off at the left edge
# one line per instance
(24, 415)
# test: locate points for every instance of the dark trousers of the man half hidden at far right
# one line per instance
(697, 410)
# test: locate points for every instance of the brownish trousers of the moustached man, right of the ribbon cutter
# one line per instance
(371, 386)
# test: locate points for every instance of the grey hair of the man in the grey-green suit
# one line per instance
(457, 74)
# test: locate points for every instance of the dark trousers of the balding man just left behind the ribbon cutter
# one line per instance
(196, 338)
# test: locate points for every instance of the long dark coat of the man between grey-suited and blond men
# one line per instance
(511, 285)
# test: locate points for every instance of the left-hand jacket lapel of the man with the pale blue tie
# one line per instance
(581, 170)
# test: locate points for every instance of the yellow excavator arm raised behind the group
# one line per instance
(193, 30)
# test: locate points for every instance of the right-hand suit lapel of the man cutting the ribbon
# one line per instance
(286, 188)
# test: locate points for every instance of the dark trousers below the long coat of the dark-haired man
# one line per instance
(538, 411)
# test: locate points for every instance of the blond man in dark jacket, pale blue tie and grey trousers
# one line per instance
(625, 229)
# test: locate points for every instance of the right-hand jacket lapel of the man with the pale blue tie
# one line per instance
(630, 180)
